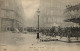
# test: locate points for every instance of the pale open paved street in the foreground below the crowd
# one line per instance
(28, 42)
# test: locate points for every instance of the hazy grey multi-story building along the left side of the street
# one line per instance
(10, 15)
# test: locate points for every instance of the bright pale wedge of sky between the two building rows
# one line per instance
(30, 7)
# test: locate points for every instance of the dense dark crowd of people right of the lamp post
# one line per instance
(62, 32)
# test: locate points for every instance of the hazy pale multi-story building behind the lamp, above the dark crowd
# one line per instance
(52, 13)
